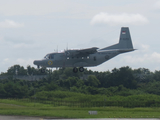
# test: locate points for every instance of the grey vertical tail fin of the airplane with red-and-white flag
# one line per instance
(125, 41)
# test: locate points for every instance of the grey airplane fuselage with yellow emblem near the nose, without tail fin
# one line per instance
(62, 60)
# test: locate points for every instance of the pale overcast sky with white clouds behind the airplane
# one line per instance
(29, 29)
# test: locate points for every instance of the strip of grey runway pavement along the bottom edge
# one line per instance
(2, 117)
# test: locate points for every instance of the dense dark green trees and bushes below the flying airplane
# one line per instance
(123, 81)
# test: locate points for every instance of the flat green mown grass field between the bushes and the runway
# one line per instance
(18, 107)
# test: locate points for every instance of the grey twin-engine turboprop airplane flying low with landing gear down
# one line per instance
(87, 57)
